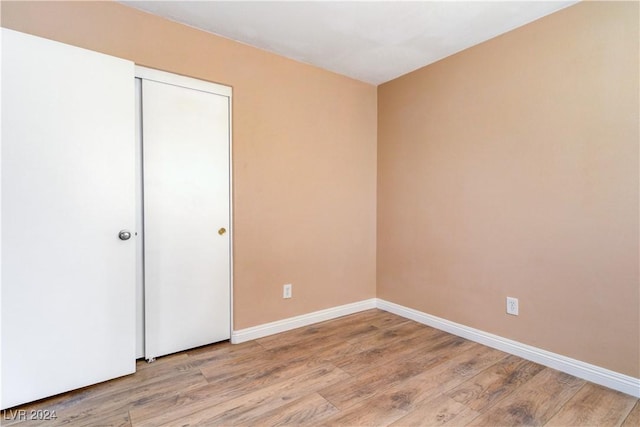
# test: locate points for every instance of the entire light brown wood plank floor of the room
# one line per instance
(370, 368)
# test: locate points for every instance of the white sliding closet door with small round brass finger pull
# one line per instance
(186, 215)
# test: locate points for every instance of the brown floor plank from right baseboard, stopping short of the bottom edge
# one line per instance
(495, 383)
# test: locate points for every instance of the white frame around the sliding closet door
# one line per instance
(190, 83)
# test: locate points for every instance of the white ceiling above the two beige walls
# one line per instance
(369, 41)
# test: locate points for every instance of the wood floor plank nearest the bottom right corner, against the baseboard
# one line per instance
(594, 405)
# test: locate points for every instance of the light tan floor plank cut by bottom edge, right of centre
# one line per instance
(440, 411)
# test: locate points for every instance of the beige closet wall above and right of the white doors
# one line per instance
(304, 147)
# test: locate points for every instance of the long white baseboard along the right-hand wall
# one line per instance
(586, 371)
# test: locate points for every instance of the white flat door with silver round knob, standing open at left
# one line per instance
(68, 281)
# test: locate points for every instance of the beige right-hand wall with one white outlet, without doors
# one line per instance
(511, 169)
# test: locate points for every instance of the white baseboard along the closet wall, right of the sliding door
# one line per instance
(283, 325)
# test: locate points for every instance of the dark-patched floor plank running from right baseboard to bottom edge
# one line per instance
(534, 403)
